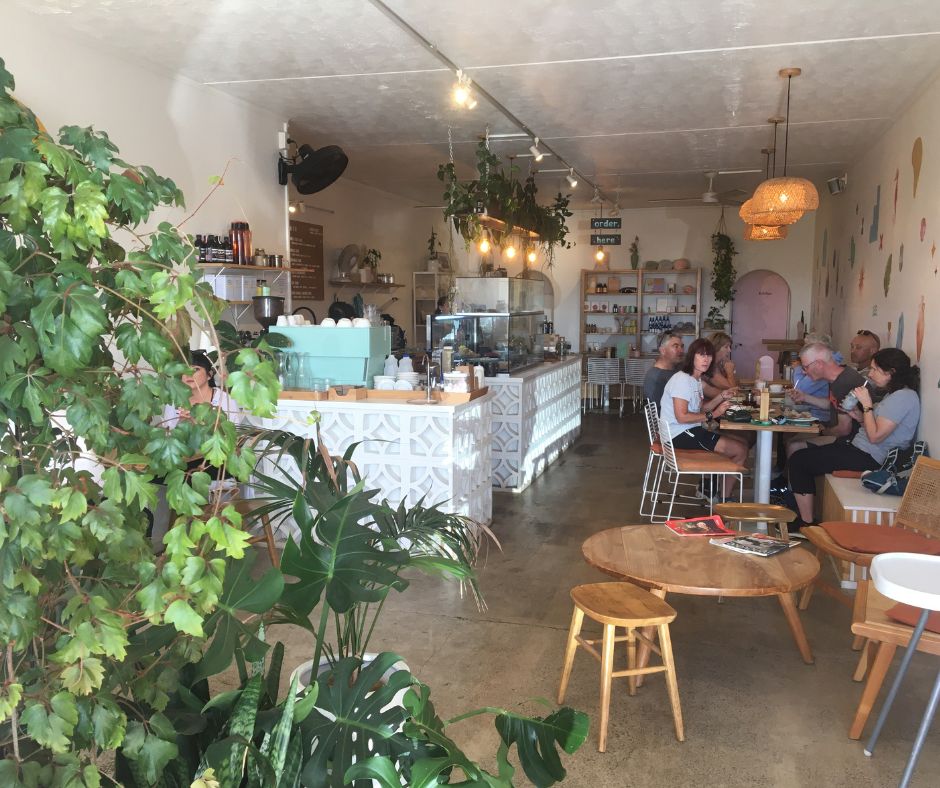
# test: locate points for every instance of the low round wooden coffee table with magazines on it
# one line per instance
(654, 557)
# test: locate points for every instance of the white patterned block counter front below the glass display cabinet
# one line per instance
(536, 416)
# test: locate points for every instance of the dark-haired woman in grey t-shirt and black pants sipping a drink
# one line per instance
(892, 423)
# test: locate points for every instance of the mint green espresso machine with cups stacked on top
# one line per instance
(348, 356)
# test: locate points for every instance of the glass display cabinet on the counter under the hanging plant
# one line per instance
(497, 324)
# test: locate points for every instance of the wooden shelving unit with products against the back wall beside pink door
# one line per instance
(653, 297)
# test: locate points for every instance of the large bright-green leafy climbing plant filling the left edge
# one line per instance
(96, 627)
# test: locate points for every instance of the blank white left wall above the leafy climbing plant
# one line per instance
(183, 130)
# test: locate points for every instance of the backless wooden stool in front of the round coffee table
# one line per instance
(628, 606)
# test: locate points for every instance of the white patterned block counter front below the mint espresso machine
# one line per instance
(437, 452)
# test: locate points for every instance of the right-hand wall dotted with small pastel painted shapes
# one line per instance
(848, 295)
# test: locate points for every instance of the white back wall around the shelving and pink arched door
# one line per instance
(670, 233)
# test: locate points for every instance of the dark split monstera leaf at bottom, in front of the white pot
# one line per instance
(355, 717)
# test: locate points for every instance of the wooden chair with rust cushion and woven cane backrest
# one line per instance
(916, 529)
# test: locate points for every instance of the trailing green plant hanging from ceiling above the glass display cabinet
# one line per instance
(501, 195)
